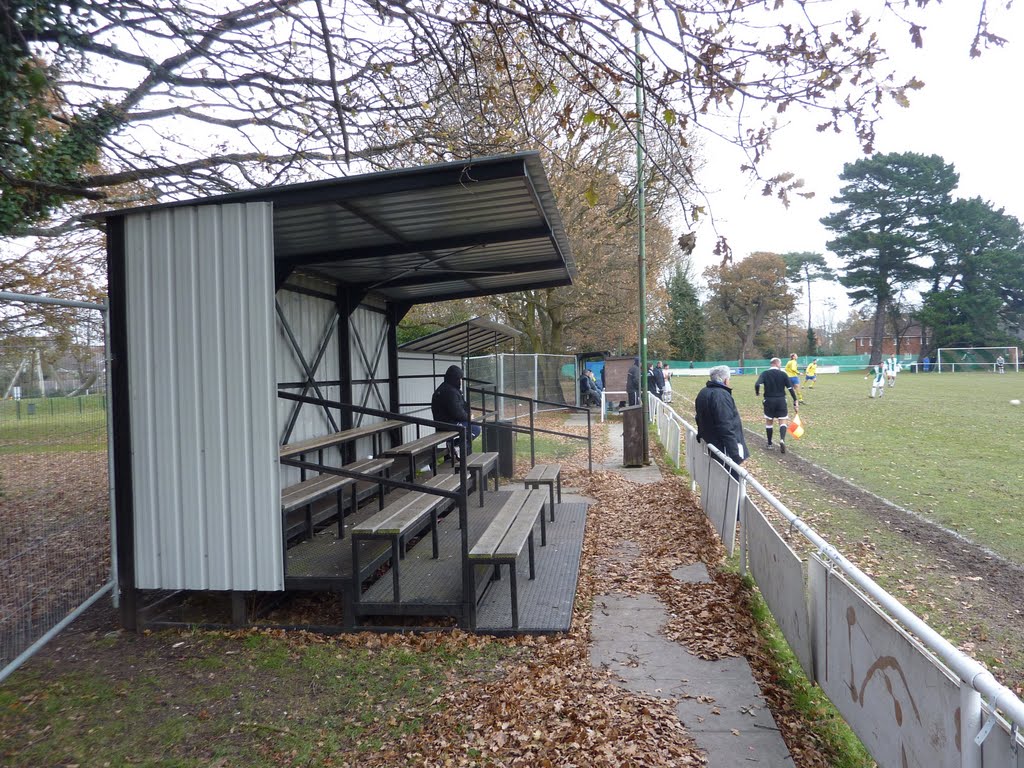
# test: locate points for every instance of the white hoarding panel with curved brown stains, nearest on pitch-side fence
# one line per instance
(894, 695)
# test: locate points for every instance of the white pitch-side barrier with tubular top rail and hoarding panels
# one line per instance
(912, 697)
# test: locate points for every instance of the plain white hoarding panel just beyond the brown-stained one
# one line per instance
(780, 575)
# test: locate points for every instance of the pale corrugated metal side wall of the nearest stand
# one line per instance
(201, 330)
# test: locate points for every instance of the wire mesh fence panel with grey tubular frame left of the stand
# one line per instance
(56, 551)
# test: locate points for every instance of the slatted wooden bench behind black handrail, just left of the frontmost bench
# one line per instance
(400, 521)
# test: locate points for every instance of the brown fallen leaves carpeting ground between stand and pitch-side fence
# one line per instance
(545, 705)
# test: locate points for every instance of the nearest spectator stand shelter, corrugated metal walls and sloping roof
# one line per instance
(240, 322)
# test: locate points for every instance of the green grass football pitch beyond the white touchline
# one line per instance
(950, 447)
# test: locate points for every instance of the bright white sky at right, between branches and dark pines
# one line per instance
(969, 113)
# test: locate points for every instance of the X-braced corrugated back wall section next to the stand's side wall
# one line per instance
(309, 318)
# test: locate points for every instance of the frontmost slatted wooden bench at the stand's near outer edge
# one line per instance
(504, 539)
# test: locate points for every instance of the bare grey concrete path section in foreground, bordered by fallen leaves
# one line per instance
(720, 703)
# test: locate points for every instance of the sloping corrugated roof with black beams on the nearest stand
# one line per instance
(443, 232)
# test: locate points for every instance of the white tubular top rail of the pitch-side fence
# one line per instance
(969, 670)
